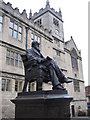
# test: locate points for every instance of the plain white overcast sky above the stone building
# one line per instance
(75, 17)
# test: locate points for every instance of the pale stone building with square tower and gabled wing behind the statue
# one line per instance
(17, 31)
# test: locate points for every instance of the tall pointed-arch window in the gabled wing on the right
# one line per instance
(74, 59)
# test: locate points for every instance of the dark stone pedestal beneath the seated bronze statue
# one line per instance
(43, 104)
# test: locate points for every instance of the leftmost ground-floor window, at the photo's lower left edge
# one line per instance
(6, 85)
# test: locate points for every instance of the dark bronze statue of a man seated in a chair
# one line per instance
(36, 61)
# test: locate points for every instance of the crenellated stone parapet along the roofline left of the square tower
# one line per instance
(8, 9)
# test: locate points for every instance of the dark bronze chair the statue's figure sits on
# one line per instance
(34, 72)
